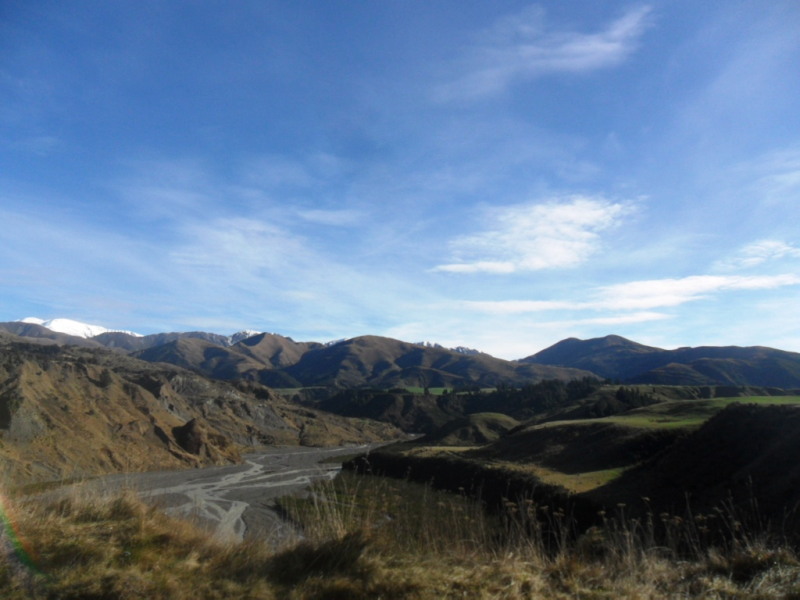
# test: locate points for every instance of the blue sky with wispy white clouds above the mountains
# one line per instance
(500, 175)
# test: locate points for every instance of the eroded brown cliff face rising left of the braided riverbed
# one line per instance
(69, 412)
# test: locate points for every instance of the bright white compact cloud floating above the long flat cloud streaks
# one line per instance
(535, 236)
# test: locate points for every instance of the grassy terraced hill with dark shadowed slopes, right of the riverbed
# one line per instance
(718, 450)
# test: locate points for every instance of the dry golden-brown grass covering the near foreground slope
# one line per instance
(371, 539)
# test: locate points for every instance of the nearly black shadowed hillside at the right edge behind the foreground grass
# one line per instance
(745, 458)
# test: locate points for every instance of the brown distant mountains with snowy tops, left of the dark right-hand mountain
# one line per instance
(280, 362)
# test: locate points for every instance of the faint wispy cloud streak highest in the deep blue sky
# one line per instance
(520, 47)
